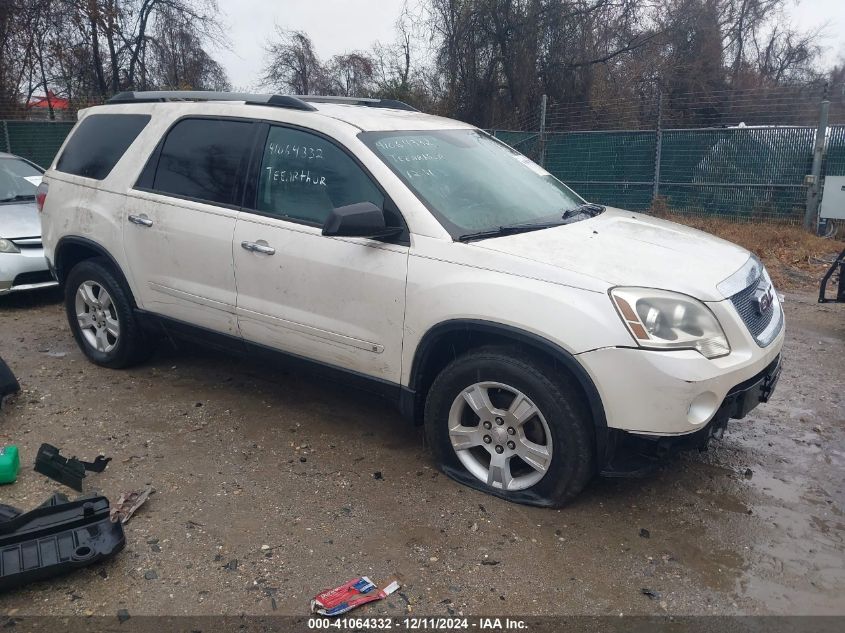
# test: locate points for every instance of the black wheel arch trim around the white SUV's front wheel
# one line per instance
(429, 341)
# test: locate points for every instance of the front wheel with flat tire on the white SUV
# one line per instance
(555, 435)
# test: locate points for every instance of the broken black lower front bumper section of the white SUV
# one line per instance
(634, 455)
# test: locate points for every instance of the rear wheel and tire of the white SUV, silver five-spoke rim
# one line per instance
(113, 337)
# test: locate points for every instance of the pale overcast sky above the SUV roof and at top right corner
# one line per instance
(336, 26)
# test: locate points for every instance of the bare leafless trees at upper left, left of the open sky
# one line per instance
(81, 48)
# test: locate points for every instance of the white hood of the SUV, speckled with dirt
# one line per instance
(623, 248)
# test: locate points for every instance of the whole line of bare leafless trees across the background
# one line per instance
(480, 60)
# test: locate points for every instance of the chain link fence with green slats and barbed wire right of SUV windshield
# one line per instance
(744, 156)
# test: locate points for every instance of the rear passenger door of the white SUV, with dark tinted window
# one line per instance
(180, 218)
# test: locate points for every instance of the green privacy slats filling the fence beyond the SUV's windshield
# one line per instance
(744, 173)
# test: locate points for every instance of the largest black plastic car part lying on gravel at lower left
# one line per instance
(55, 538)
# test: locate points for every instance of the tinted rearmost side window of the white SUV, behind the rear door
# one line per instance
(98, 142)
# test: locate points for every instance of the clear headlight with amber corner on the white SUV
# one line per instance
(658, 319)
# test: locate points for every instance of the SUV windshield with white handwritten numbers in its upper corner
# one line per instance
(473, 183)
